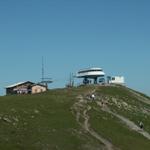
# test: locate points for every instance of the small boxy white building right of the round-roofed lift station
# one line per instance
(116, 80)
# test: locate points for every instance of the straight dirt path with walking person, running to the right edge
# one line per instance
(129, 123)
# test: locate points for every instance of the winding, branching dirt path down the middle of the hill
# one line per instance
(81, 105)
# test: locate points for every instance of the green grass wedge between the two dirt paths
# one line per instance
(112, 129)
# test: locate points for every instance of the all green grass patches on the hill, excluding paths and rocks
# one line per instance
(46, 122)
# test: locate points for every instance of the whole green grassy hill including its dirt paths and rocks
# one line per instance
(68, 119)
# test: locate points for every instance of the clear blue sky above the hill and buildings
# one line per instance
(74, 34)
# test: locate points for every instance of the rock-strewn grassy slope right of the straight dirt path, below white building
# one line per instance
(136, 110)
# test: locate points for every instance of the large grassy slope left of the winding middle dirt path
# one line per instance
(42, 121)
